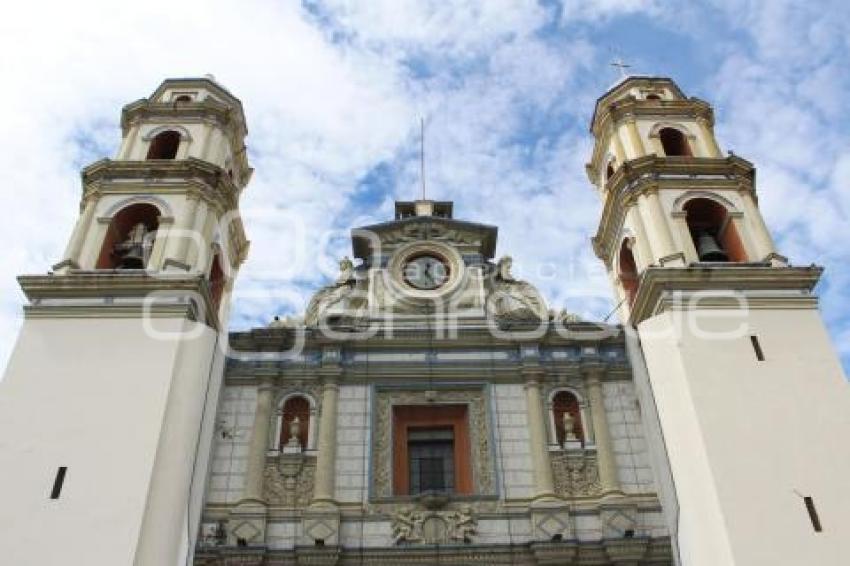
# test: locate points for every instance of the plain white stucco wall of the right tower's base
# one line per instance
(747, 439)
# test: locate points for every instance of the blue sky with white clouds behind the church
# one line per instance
(334, 91)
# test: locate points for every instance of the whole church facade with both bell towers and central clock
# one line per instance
(428, 407)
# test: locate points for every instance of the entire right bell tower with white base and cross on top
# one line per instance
(745, 401)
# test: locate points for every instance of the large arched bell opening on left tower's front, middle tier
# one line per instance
(129, 238)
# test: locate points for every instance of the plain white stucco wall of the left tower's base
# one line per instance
(97, 396)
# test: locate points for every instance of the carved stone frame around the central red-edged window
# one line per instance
(482, 455)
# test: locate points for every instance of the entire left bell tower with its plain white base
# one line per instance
(107, 407)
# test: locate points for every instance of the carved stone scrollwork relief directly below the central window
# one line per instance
(434, 527)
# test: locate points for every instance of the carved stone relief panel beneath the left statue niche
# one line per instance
(288, 480)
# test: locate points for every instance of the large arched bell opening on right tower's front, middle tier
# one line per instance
(714, 235)
